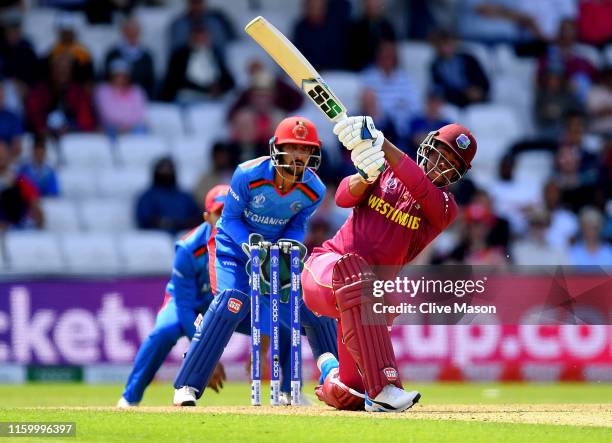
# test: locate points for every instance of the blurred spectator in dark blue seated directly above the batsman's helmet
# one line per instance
(458, 75)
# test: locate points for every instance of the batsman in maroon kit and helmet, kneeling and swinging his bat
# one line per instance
(399, 207)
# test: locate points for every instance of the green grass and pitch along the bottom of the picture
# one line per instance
(448, 412)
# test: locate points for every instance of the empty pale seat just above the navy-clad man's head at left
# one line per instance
(140, 150)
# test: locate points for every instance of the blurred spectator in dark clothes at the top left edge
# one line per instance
(18, 61)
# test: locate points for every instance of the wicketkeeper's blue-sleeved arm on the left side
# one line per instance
(233, 210)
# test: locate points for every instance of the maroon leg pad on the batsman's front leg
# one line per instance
(364, 332)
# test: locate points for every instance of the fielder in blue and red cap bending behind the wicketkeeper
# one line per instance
(188, 293)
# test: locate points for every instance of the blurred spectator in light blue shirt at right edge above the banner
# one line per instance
(591, 250)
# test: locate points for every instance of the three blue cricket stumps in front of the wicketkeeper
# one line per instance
(295, 322)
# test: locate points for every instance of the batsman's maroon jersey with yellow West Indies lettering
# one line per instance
(394, 221)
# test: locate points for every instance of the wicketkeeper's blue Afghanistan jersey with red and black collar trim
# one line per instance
(255, 204)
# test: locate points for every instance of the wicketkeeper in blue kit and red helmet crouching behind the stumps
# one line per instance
(274, 197)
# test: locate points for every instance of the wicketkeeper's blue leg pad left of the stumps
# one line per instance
(228, 309)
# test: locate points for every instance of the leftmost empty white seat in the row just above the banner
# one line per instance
(33, 252)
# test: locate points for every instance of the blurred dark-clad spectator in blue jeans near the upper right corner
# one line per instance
(563, 56)
